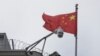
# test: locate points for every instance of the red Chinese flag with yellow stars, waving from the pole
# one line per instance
(68, 22)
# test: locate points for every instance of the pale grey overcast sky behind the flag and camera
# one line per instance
(22, 20)
